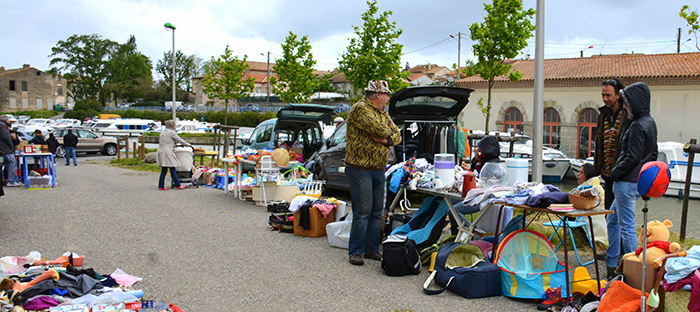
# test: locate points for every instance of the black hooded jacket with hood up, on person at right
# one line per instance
(638, 144)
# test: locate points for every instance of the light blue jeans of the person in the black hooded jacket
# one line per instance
(621, 223)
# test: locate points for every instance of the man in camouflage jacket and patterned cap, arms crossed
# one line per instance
(370, 134)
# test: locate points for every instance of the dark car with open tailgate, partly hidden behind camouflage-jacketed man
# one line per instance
(424, 103)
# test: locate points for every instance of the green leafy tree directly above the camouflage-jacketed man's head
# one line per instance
(374, 54)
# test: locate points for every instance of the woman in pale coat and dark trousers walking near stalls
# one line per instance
(165, 158)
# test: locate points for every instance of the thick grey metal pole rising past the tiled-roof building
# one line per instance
(538, 105)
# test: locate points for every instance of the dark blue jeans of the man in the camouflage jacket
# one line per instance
(368, 195)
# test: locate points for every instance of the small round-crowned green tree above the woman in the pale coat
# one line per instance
(224, 79)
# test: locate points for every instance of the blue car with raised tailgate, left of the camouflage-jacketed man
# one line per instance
(295, 123)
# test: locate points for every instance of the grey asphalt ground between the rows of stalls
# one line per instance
(203, 249)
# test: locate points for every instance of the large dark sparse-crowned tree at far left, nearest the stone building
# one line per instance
(84, 58)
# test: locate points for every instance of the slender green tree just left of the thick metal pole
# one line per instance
(501, 36)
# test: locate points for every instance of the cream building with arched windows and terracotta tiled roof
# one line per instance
(572, 97)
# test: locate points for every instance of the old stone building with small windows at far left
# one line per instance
(28, 88)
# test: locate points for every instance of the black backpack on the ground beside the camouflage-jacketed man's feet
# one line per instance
(401, 256)
